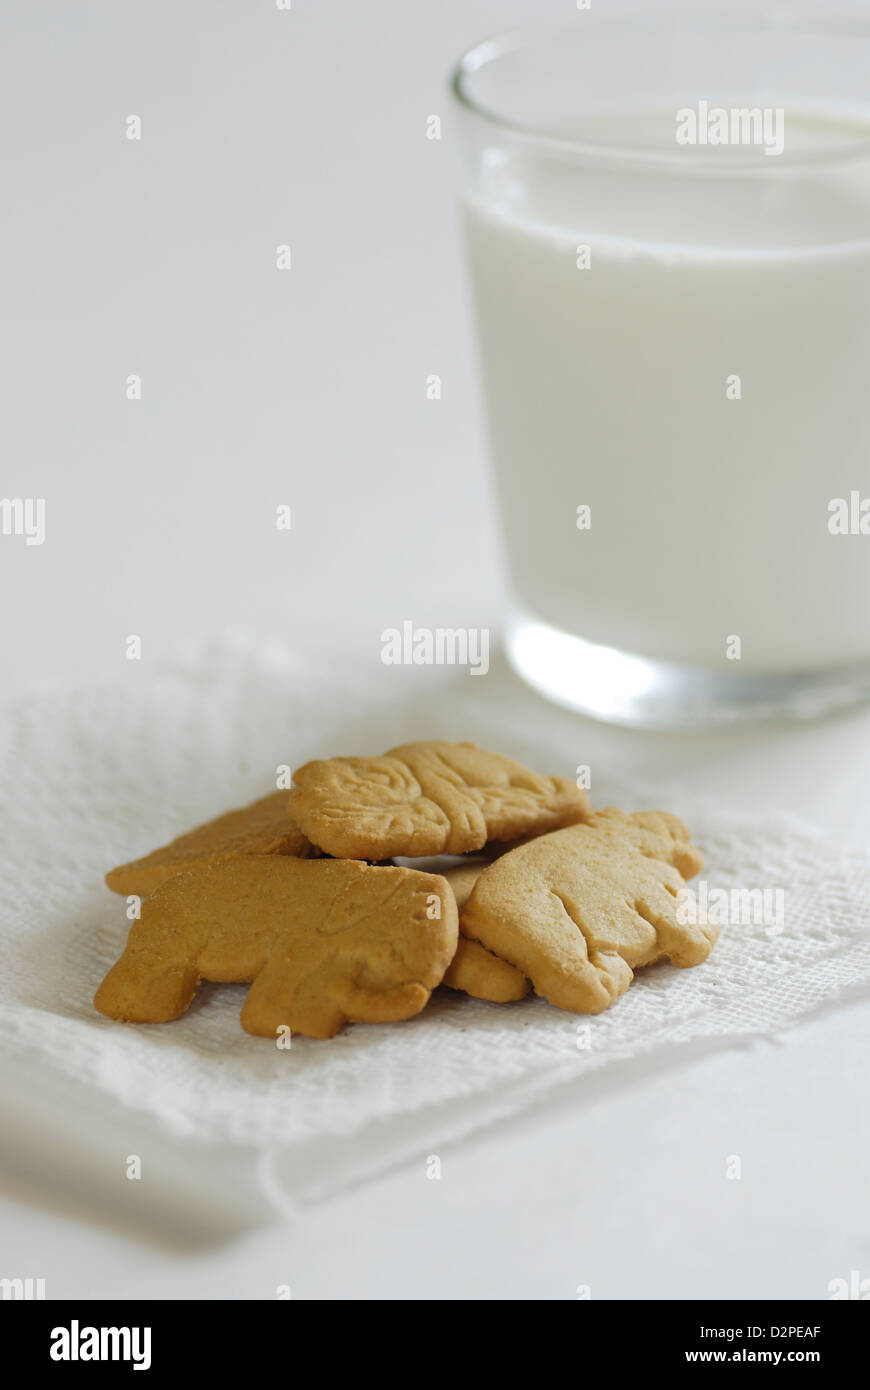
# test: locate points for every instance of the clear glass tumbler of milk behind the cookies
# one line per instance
(669, 236)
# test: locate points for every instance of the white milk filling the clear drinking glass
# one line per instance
(607, 387)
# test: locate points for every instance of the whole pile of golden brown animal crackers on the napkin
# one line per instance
(299, 896)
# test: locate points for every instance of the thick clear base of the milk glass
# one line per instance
(634, 690)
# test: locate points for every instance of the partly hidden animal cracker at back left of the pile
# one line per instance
(262, 829)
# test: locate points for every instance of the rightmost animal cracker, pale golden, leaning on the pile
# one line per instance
(580, 910)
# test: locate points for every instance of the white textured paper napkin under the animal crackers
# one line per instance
(95, 776)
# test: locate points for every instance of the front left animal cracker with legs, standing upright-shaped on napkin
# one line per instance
(322, 940)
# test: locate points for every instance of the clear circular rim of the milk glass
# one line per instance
(511, 41)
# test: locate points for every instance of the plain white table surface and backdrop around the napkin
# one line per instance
(308, 127)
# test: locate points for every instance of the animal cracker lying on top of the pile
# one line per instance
(427, 800)
